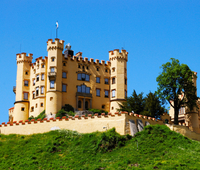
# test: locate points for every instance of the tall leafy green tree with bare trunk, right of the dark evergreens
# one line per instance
(175, 83)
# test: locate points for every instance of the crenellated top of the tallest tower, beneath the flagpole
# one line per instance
(57, 44)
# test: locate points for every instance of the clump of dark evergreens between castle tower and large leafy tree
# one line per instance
(148, 106)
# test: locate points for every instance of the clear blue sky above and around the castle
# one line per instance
(151, 31)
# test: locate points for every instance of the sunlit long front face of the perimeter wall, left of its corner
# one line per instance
(83, 125)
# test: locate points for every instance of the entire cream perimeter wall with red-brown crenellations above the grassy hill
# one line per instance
(121, 122)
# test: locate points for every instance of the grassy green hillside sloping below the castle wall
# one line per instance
(154, 148)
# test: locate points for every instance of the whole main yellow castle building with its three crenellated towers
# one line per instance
(62, 78)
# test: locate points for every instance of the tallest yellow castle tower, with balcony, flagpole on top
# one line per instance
(54, 76)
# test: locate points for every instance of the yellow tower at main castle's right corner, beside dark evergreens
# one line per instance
(118, 78)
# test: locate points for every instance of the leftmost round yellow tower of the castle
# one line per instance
(21, 108)
